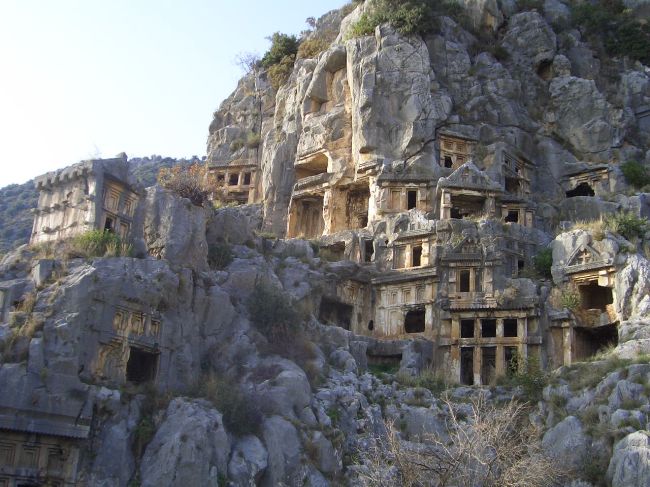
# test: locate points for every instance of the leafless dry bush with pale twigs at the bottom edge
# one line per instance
(496, 446)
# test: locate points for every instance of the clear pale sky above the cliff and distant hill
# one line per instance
(92, 78)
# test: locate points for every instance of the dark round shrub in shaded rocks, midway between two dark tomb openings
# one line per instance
(273, 313)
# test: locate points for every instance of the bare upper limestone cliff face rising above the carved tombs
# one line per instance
(373, 107)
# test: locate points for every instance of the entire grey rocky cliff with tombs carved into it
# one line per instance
(476, 239)
